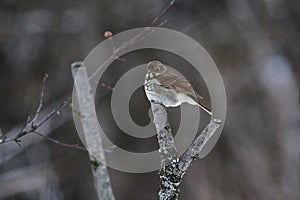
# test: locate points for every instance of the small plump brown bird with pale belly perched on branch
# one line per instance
(166, 86)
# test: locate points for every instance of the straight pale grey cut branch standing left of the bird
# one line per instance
(92, 134)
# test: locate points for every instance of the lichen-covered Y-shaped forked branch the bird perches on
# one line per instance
(173, 169)
